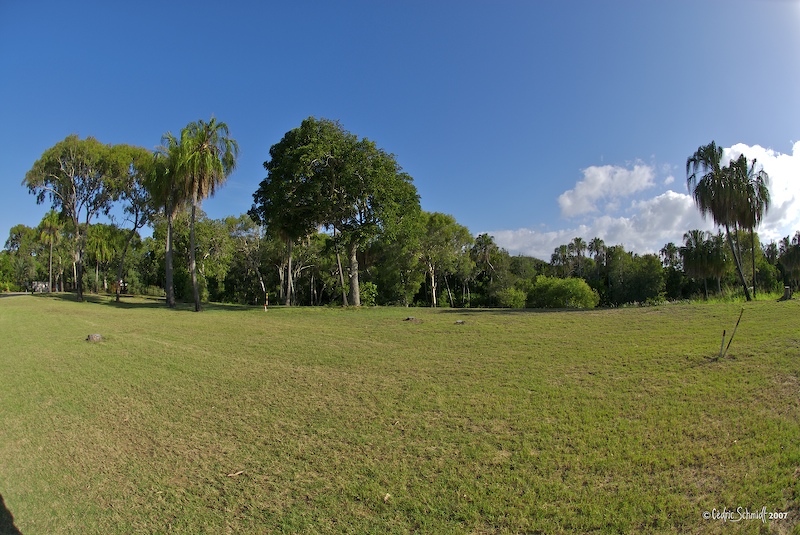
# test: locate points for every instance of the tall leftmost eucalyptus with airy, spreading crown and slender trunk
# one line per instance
(80, 178)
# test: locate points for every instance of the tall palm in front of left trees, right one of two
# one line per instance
(207, 157)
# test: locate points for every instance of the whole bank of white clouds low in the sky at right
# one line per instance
(648, 224)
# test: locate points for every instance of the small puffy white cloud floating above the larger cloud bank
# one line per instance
(605, 182)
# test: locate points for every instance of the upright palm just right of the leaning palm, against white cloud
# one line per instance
(756, 201)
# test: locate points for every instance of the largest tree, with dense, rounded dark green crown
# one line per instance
(322, 175)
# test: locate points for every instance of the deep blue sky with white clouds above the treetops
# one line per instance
(536, 121)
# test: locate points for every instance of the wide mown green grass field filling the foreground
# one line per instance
(323, 420)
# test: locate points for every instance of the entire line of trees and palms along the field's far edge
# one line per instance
(337, 221)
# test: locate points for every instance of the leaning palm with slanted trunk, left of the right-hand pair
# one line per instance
(720, 192)
